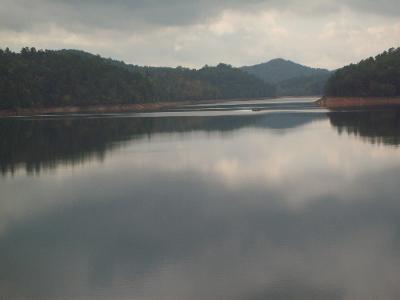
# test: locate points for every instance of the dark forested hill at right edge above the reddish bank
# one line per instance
(373, 77)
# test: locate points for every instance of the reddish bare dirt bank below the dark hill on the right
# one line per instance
(356, 102)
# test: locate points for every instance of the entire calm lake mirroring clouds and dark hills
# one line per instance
(237, 200)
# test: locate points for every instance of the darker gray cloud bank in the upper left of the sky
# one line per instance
(121, 14)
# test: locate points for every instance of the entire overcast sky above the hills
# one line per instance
(319, 33)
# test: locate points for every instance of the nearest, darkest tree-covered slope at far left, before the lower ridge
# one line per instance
(60, 78)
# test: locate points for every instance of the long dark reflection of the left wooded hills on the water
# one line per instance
(45, 143)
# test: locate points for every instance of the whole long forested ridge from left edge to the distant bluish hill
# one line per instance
(48, 78)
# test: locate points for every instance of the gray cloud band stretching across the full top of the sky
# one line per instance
(136, 14)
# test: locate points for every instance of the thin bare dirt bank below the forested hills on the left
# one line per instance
(116, 108)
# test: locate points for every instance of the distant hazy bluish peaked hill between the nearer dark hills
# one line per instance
(291, 79)
